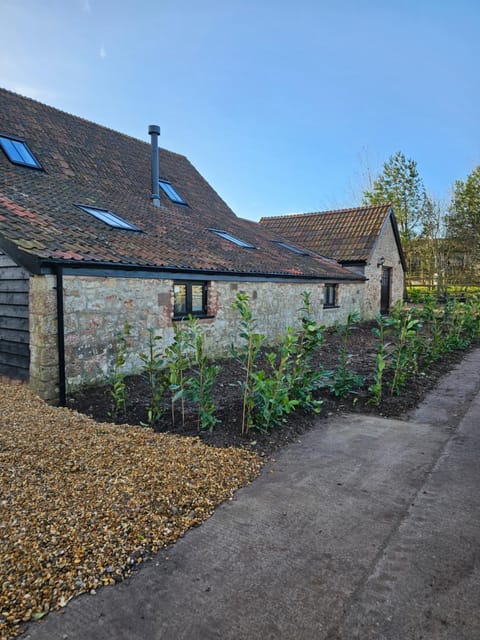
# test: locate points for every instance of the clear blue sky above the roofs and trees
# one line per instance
(282, 106)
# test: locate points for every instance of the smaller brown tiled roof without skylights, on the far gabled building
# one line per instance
(347, 235)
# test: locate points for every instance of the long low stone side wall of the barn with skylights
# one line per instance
(96, 309)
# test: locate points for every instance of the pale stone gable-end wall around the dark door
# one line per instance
(386, 248)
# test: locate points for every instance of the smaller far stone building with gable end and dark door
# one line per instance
(364, 239)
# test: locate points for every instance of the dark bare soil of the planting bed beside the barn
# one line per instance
(97, 401)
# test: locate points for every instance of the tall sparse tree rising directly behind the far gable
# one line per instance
(400, 185)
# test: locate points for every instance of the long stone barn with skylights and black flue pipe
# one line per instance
(98, 229)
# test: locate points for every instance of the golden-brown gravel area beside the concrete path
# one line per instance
(83, 503)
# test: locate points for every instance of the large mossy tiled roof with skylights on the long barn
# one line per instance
(92, 165)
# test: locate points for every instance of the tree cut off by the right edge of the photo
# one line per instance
(463, 224)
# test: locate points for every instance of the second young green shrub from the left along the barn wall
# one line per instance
(154, 371)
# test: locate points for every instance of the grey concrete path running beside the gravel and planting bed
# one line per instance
(367, 528)
